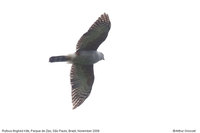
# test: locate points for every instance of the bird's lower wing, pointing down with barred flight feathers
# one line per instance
(82, 78)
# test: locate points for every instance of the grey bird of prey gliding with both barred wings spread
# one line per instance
(82, 74)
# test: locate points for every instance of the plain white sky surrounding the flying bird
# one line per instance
(148, 82)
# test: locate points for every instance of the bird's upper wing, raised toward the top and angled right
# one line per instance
(96, 34)
